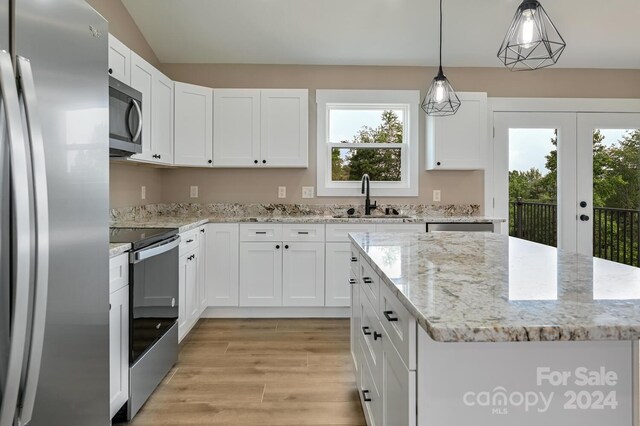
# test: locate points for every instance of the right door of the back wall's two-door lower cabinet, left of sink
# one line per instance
(303, 274)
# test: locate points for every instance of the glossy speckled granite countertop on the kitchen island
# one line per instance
(484, 287)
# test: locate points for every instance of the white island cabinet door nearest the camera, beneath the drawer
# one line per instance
(398, 389)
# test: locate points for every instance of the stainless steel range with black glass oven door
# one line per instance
(153, 318)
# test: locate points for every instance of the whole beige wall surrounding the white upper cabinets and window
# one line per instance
(251, 185)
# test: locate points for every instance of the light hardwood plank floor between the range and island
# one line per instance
(259, 372)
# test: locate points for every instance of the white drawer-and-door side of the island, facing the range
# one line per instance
(387, 385)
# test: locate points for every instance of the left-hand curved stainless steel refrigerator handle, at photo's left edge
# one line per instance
(21, 193)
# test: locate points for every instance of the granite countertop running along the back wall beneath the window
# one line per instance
(186, 223)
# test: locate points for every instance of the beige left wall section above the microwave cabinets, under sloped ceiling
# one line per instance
(122, 25)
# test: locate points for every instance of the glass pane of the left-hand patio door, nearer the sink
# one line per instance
(533, 161)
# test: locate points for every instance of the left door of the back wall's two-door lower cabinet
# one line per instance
(261, 274)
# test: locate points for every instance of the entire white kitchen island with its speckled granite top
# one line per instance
(484, 329)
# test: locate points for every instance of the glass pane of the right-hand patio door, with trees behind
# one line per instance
(616, 195)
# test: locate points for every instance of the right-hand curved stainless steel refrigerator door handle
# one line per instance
(41, 201)
